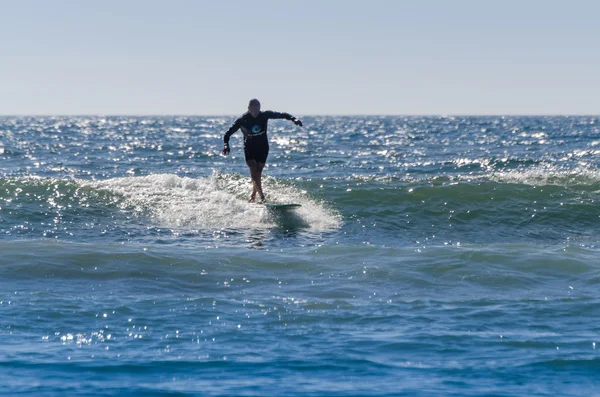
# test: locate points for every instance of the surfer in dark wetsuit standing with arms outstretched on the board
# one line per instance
(256, 145)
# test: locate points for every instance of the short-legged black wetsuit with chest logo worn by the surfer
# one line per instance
(256, 144)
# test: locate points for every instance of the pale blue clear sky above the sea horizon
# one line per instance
(304, 57)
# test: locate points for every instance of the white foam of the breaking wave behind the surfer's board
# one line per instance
(216, 202)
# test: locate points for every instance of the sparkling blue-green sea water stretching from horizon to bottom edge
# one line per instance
(432, 256)
